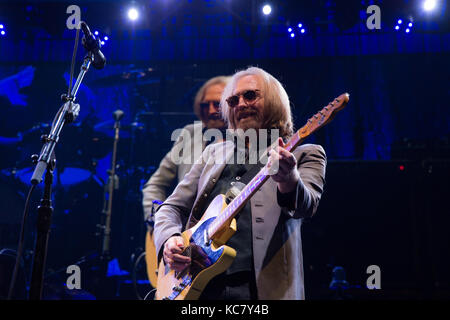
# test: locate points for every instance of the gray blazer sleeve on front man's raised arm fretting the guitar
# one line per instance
(304, 200)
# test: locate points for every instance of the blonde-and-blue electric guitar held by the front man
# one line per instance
(205, 242)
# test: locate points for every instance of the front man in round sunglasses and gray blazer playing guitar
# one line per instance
(268, 263)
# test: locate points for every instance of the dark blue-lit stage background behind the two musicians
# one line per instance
(385, 201)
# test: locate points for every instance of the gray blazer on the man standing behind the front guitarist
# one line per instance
(157, 186)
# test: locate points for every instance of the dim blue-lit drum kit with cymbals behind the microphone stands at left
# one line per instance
(80, 186)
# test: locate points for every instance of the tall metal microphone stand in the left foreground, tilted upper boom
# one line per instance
(46, 161)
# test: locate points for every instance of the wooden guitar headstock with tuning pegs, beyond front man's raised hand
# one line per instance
(324, 116)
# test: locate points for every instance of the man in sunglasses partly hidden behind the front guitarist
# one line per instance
(206, 107)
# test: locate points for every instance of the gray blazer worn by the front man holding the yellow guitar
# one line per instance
(277, 247)
